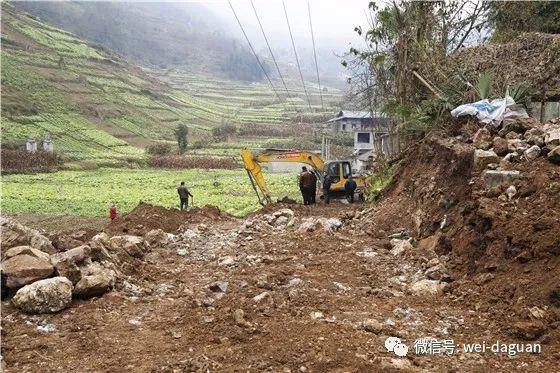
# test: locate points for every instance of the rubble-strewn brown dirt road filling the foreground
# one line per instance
(286, 300)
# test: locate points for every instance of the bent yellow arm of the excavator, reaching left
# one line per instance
(253, 166)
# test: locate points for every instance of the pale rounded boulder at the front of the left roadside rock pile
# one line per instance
(44, 296)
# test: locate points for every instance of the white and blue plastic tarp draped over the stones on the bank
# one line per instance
(493, 112)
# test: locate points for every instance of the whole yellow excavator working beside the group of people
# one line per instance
(337, 171)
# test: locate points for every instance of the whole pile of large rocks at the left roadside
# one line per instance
(45, 283)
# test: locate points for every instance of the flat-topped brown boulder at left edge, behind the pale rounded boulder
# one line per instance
(24, 269)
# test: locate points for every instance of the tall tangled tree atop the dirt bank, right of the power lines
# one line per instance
(405, 61)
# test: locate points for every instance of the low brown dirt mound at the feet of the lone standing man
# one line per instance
(146, 217)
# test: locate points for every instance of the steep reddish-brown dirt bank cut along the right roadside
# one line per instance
(506, 249)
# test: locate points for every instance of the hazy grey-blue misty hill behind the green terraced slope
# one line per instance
(161, 34)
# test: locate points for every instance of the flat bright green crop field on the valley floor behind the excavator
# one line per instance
(88, 193)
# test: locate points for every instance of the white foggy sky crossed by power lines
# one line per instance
(333, 27)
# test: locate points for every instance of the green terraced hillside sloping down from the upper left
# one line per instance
(97, 106)
